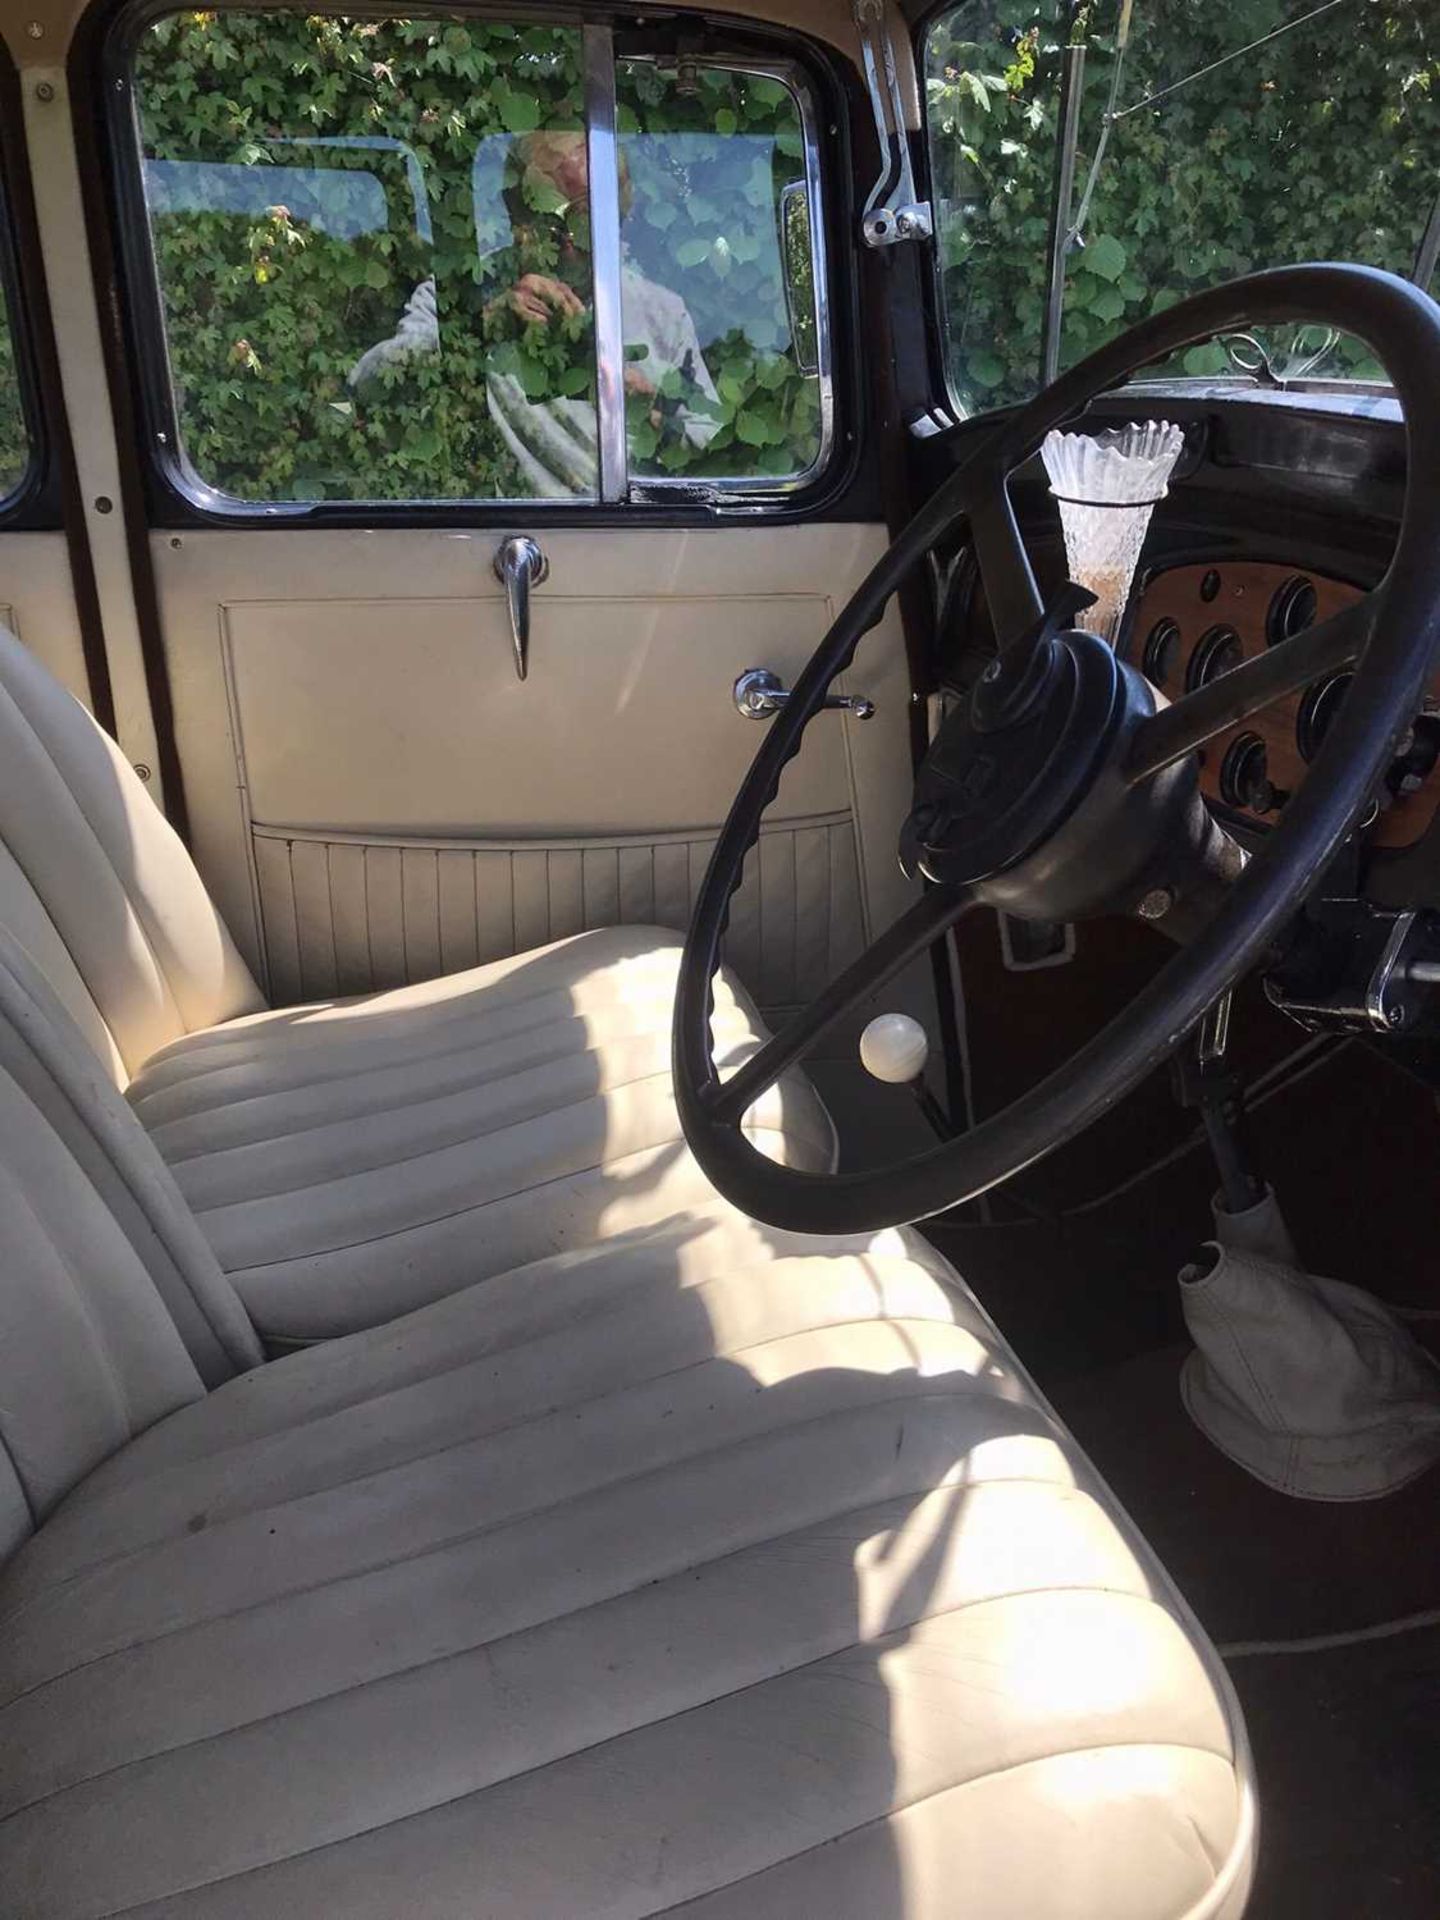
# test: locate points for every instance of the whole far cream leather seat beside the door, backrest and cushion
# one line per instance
(358, 1159)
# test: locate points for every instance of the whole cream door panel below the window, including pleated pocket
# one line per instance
(375, 796)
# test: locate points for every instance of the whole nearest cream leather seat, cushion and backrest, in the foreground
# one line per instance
(706, 1570)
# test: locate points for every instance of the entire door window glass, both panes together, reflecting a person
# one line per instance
(375, 270)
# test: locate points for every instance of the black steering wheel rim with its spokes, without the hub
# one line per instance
(1391, 636)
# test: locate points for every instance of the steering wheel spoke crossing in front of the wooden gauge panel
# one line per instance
(1287, 669)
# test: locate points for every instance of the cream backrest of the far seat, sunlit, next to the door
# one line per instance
(97, 886)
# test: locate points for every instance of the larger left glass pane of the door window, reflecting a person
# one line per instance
(373, 256)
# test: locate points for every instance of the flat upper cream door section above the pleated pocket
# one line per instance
(408, 715)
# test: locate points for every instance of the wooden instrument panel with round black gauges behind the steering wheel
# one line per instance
(1191, 625)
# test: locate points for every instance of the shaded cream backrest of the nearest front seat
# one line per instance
(114, 1310)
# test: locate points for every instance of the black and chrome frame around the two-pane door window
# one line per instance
(731, 494)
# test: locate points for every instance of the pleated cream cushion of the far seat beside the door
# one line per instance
(354, 1161)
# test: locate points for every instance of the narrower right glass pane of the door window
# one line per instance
(719, 283)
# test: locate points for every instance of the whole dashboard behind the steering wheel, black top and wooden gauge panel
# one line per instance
(1282, 512)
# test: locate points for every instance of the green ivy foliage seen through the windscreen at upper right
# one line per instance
(1320, 145)
